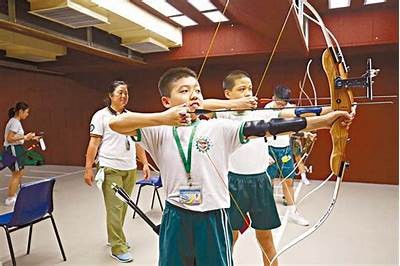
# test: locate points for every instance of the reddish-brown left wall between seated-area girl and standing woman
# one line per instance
(58, 106)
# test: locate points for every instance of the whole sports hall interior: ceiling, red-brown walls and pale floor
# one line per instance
(59, 57)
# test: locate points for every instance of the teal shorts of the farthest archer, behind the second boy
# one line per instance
(284, 165)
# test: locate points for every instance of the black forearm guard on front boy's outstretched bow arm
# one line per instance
(275, 126)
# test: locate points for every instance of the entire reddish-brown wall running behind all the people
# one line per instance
(62, 106)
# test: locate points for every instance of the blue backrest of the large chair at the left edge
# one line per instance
(34, 201)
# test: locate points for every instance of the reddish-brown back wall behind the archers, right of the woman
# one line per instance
(372, 150)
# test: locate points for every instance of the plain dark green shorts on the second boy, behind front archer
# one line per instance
(253, 194)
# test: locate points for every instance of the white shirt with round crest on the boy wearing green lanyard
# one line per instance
(214, 141)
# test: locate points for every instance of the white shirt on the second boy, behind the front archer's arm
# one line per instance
(251, 158)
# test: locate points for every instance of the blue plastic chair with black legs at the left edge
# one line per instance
(34, 204)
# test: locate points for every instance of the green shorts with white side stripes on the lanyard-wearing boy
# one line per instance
(189, 238)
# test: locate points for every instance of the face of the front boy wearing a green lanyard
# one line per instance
(184, 90)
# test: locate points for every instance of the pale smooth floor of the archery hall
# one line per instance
(362, 230)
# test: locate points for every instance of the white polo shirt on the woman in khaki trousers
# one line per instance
(116, 150)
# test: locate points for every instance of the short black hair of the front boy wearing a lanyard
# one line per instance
(172, 75)
